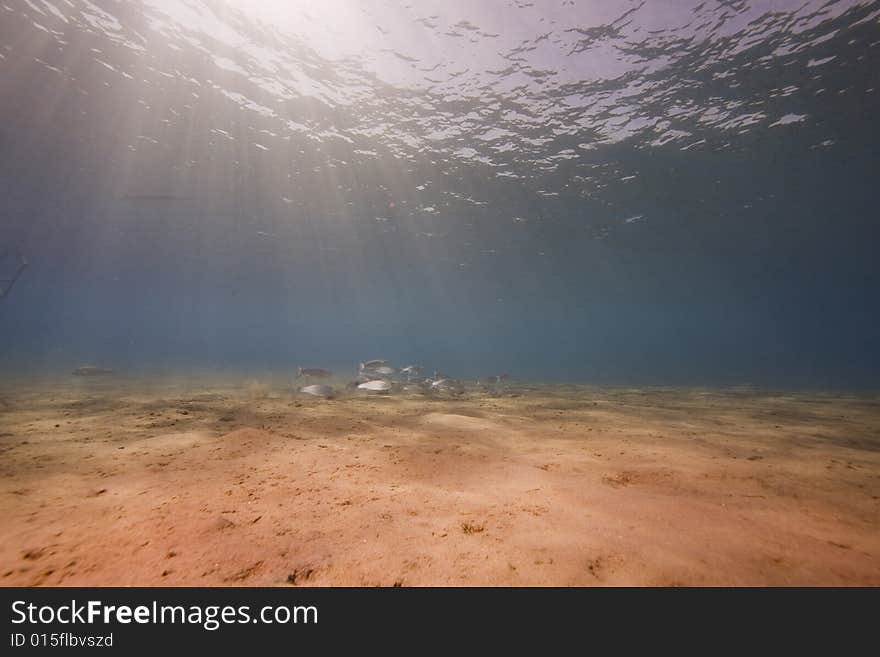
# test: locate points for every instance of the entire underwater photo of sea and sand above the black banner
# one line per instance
(441, 293)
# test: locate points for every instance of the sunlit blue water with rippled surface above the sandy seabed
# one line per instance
(638, 193)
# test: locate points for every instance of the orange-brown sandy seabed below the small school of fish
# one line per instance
(206, 482)
